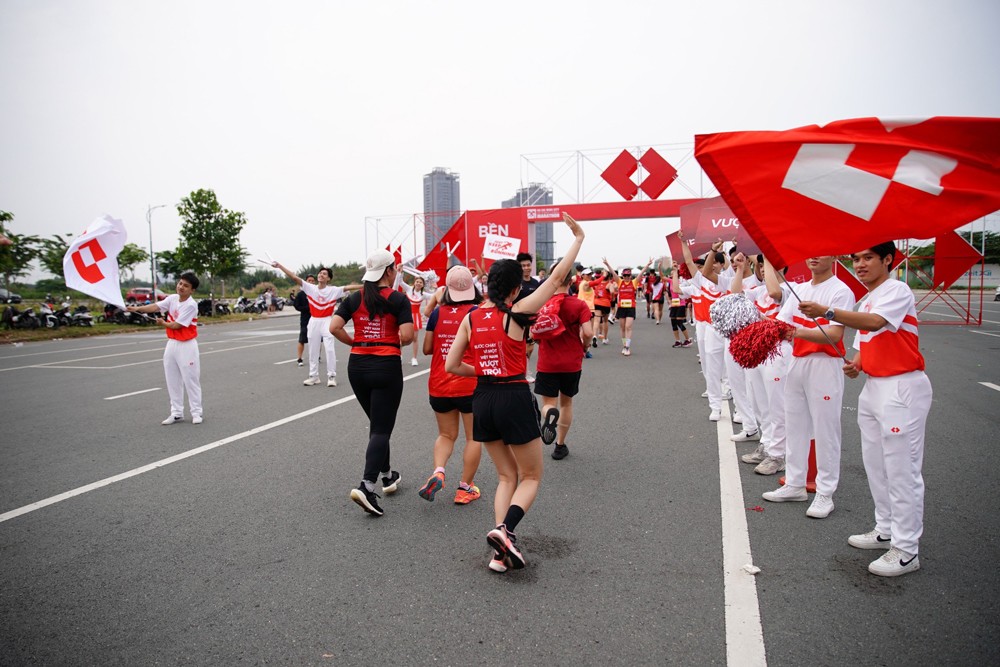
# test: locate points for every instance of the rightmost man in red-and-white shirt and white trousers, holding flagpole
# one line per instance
(892, 408)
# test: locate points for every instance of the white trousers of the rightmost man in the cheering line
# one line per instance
(892, 415)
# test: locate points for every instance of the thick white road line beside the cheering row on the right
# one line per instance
(744, 634)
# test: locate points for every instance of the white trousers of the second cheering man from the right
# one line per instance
(814, 396)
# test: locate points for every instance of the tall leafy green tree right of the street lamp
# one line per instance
(210, 236)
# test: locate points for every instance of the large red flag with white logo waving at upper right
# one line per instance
(853, 184)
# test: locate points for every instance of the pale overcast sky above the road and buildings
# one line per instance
(314, 116)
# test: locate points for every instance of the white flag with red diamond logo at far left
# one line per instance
(91, 263)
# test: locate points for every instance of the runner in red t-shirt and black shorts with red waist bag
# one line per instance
(560, 365)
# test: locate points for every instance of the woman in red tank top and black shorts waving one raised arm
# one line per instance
(505, 415)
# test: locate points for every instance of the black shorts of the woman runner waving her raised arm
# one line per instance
(506, 412)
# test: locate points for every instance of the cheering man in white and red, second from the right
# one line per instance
(814, 392)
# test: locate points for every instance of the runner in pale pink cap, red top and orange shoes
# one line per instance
(451, 395)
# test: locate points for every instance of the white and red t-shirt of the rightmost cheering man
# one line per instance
(895, 348)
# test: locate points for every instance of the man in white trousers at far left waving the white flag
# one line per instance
(181, 361)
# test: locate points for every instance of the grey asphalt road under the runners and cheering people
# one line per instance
(234, 542)
